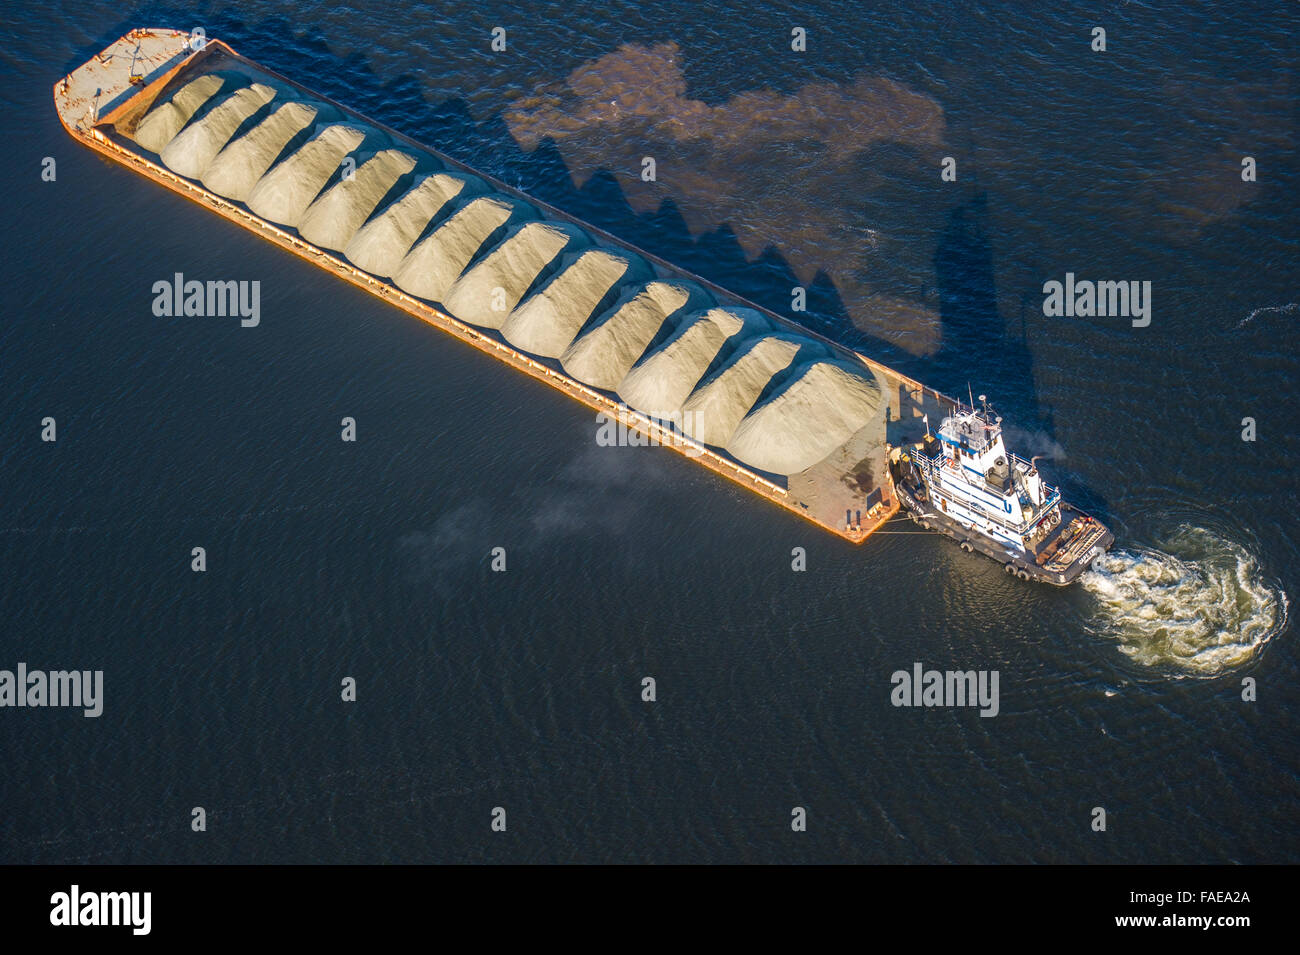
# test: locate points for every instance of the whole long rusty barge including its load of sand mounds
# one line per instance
(742, 390)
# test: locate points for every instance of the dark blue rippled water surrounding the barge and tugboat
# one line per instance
(522, 691)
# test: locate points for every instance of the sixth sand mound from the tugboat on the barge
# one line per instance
(487, 294)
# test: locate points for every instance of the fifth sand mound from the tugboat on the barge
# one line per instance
(548, 322)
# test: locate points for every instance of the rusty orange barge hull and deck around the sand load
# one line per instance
(115, 89)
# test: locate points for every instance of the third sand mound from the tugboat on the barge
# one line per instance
(662, 381)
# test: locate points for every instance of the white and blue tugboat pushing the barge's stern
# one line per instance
(964, 483)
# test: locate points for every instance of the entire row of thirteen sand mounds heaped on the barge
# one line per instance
(775, 402)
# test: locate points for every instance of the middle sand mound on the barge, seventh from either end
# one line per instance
(435, 264)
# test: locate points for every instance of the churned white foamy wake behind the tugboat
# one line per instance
(1197, 611)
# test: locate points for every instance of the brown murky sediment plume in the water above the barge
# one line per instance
(707, 157)
